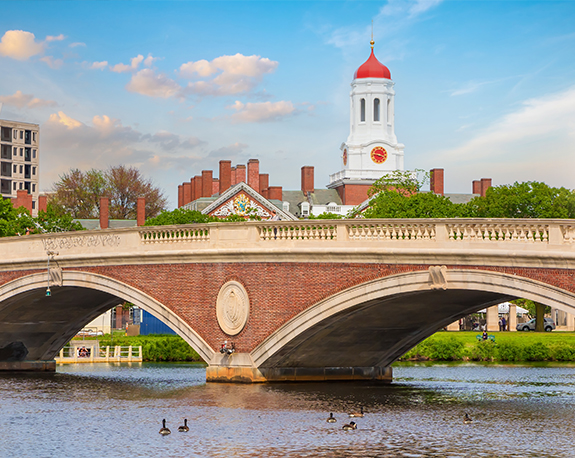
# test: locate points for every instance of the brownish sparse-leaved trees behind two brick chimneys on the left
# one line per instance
(78, 193)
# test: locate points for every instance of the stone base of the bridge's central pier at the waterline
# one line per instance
(238, 368)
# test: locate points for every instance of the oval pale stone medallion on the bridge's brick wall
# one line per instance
(232, 308)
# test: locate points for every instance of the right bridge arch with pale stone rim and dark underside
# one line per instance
(322, 327)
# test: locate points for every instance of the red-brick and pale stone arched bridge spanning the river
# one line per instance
(301, 301)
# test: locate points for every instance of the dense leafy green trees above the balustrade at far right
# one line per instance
(529, 199)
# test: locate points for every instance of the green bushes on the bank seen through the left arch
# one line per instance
(156, 348)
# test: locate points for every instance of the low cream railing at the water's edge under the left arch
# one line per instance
(90, 354)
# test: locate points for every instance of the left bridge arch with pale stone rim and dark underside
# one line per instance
(44, 324)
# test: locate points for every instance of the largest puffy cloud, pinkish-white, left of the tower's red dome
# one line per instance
(231, 74)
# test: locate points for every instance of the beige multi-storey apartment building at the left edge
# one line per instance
(19, 160)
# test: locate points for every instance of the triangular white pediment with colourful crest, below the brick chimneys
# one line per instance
(242, 200)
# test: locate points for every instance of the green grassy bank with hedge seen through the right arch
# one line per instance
(508, 346)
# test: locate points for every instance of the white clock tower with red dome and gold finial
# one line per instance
(371, 149)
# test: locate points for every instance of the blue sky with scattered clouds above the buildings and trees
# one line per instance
(484, 89)
